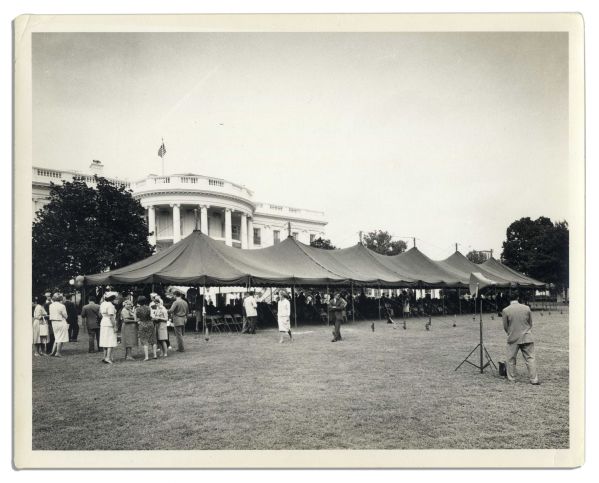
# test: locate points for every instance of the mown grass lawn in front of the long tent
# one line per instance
(388, 389)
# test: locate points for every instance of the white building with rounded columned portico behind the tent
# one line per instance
(178, 203)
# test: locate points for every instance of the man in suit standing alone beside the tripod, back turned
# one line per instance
(517, 323)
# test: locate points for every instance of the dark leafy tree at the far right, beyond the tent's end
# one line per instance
(538, 248)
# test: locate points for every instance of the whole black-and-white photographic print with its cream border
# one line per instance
(251, 237)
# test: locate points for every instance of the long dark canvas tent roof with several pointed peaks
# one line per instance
(201, 260)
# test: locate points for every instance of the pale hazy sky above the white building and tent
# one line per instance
(446, 137)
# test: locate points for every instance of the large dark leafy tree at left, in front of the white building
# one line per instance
(83, 230)
